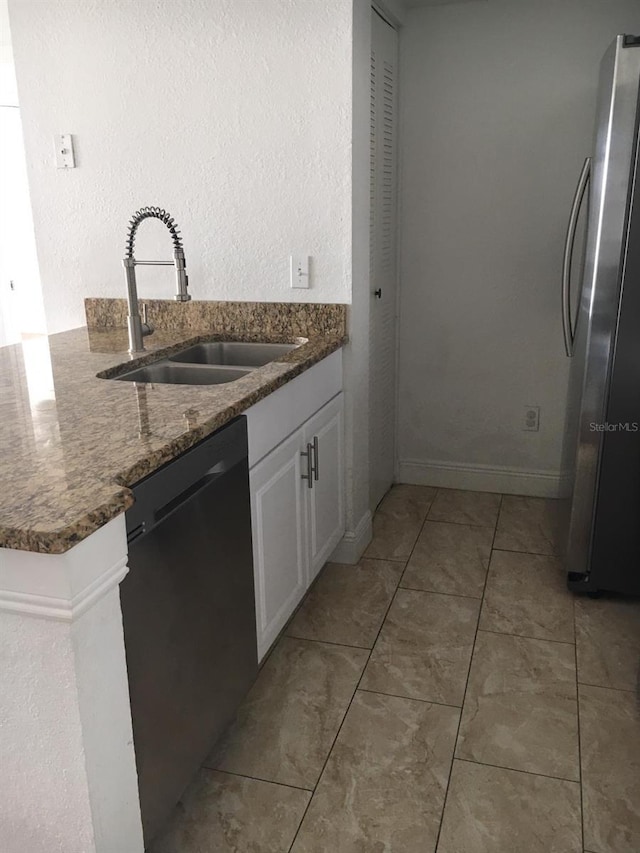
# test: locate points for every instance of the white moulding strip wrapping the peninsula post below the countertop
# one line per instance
(60, 609)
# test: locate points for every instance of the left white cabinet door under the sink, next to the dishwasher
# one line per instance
(279, 537)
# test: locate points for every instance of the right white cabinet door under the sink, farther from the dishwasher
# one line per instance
(325, 501)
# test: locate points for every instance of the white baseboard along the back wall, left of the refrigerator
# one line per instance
(480, 478)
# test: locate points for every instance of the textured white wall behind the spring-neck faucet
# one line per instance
(234, 115)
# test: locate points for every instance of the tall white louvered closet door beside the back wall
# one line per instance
(382, 323)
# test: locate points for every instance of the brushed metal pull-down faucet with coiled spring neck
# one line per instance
(138, 329)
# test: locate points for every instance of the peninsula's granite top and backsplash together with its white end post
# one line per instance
(73, 445)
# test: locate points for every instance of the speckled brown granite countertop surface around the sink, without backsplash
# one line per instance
(72, 443)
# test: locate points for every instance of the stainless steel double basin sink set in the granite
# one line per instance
(212, 363)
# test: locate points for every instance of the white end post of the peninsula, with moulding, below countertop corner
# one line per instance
(66, 738)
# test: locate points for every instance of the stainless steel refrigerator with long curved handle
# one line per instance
(601, 322)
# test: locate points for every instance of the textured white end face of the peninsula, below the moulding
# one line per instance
(44, 802)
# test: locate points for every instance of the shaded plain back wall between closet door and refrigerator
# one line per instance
(498, 104)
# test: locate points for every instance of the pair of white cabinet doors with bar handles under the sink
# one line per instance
(296, 522)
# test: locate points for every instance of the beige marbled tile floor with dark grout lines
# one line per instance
(447, 694)
